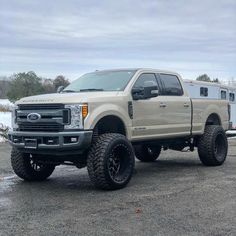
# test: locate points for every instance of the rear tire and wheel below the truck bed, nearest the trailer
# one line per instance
(213, 146)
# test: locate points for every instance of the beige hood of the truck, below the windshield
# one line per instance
(67, 98)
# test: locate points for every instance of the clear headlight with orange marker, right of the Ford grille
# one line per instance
(78, 113)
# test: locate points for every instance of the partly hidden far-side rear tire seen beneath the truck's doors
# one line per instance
(147, 153)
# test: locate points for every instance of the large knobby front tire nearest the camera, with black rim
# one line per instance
(111, 161)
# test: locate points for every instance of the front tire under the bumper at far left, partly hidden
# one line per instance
(27, 168)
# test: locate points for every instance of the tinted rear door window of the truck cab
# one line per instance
(171, 85)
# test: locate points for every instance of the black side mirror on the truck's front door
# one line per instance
(144, 92)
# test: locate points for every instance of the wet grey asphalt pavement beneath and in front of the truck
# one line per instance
(176, 195)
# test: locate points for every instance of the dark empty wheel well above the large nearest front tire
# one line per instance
(110, 124)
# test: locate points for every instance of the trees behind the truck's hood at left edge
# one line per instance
(27, 84)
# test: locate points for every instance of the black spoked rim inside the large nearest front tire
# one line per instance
(119, 163)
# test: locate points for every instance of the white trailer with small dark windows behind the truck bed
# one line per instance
(208, 90)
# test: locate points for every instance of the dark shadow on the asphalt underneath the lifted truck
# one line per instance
(75, 180)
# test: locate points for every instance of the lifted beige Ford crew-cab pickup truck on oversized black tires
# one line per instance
(105, 118)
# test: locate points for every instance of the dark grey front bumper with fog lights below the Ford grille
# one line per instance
(76, 140)
